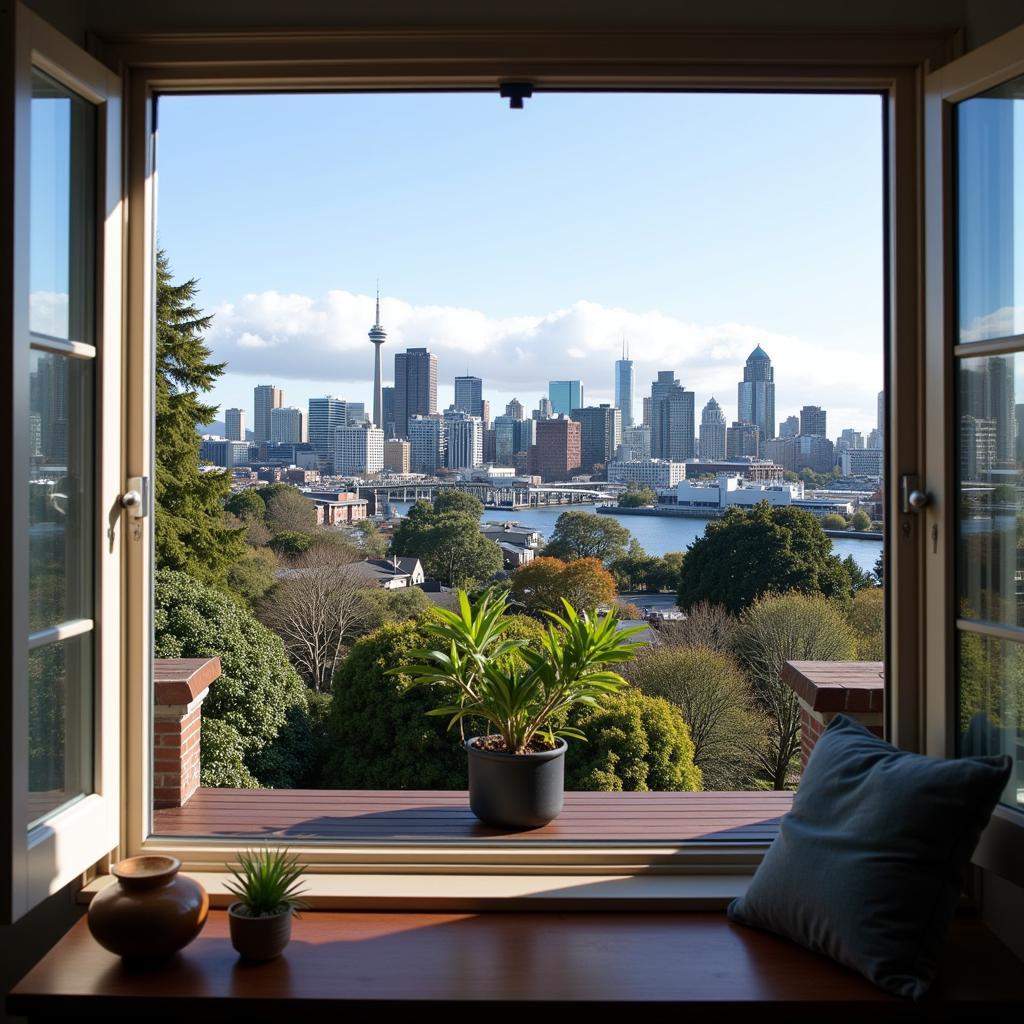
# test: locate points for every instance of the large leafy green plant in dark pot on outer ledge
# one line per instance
(518, 771)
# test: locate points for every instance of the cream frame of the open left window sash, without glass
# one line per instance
(37, 864)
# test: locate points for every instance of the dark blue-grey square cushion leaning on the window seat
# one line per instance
(868, 867)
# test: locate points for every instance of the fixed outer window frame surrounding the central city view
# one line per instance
(889, 64)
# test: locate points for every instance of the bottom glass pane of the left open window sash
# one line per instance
(60, 726)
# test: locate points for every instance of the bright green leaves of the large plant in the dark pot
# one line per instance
(522, 699)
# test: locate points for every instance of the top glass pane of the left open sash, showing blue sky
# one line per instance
(63, 212)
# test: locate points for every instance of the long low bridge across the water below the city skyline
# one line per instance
(495, 495)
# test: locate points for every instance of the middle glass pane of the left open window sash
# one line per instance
(61, 532)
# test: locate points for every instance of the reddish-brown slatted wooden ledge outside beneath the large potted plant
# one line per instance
(430, 817)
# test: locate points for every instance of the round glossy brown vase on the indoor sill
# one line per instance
(152, 913)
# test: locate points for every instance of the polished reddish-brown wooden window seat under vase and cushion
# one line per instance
(389, 961)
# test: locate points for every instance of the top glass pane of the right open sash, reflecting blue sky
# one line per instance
(991, 204)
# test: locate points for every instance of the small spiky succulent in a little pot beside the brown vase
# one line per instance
(268, 887)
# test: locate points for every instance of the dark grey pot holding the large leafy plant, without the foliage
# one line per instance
(517, 791)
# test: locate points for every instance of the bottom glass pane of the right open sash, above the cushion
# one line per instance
(992, 705)
